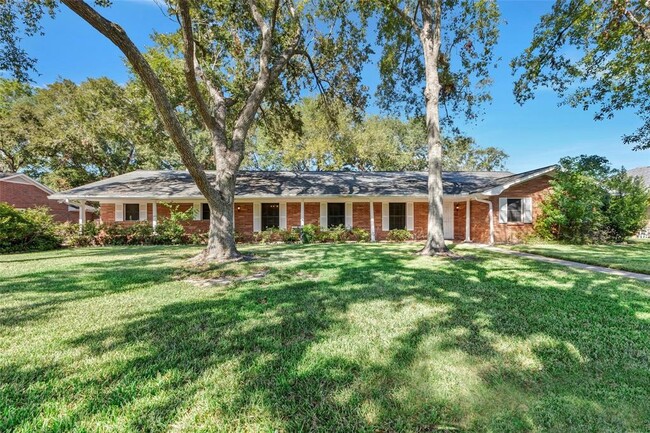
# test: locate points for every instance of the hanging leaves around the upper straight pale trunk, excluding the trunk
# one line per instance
(469, 32)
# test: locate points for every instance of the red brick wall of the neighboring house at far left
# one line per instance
(24, 196)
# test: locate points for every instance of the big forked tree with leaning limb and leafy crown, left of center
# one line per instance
(238, 57)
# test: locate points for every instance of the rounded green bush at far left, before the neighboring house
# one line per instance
(27, 230)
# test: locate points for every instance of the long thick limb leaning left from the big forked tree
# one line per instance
(157, 91)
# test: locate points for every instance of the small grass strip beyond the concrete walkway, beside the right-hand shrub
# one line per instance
(633, 256)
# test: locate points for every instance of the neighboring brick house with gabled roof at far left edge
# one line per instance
(23, 192)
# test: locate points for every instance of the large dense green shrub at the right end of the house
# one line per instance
(592, 203)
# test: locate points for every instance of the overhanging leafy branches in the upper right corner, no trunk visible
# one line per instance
(593, 54)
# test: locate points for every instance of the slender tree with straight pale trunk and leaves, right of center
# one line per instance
(446, 48)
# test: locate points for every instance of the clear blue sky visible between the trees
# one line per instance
(537, 134)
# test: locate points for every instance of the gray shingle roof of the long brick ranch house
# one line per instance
(260, 184)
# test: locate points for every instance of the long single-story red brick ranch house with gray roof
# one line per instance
(482, 207)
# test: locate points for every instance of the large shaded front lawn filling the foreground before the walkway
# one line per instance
(333, 338)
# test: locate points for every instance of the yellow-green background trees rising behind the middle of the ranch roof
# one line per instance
(336, 139)
